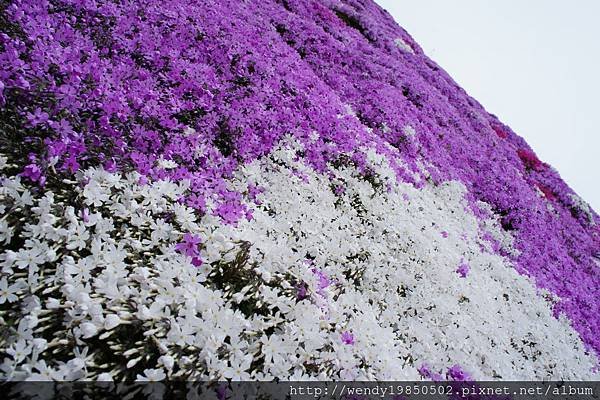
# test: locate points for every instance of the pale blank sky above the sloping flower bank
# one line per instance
(533, 63)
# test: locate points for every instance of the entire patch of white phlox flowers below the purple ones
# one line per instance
(322, 283)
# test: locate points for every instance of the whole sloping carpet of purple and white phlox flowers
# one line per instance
(290, 189)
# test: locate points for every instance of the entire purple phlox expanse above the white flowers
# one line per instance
(209, 85)
